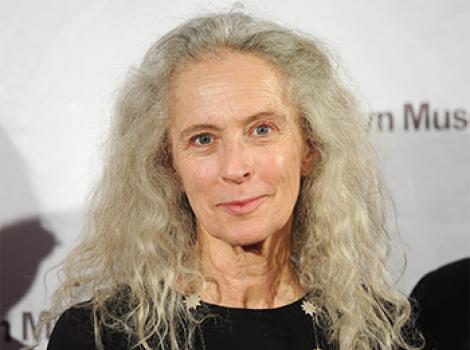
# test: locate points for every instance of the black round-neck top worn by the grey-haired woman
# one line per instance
(285, 328)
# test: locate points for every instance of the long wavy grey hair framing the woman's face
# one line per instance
(140, 236)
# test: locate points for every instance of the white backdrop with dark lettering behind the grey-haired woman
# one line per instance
(61, 63)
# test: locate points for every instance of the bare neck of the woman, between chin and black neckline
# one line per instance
(256, 276)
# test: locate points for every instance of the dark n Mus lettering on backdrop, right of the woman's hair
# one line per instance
(420, 117)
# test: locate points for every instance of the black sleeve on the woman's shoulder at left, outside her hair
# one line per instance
(73, 331)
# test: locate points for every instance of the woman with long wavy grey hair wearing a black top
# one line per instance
(241, 205)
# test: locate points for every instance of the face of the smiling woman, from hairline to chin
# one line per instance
(237, 148)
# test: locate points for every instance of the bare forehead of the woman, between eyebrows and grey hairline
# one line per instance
(227, 84)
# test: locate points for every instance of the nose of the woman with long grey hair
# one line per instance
(236, 165)
